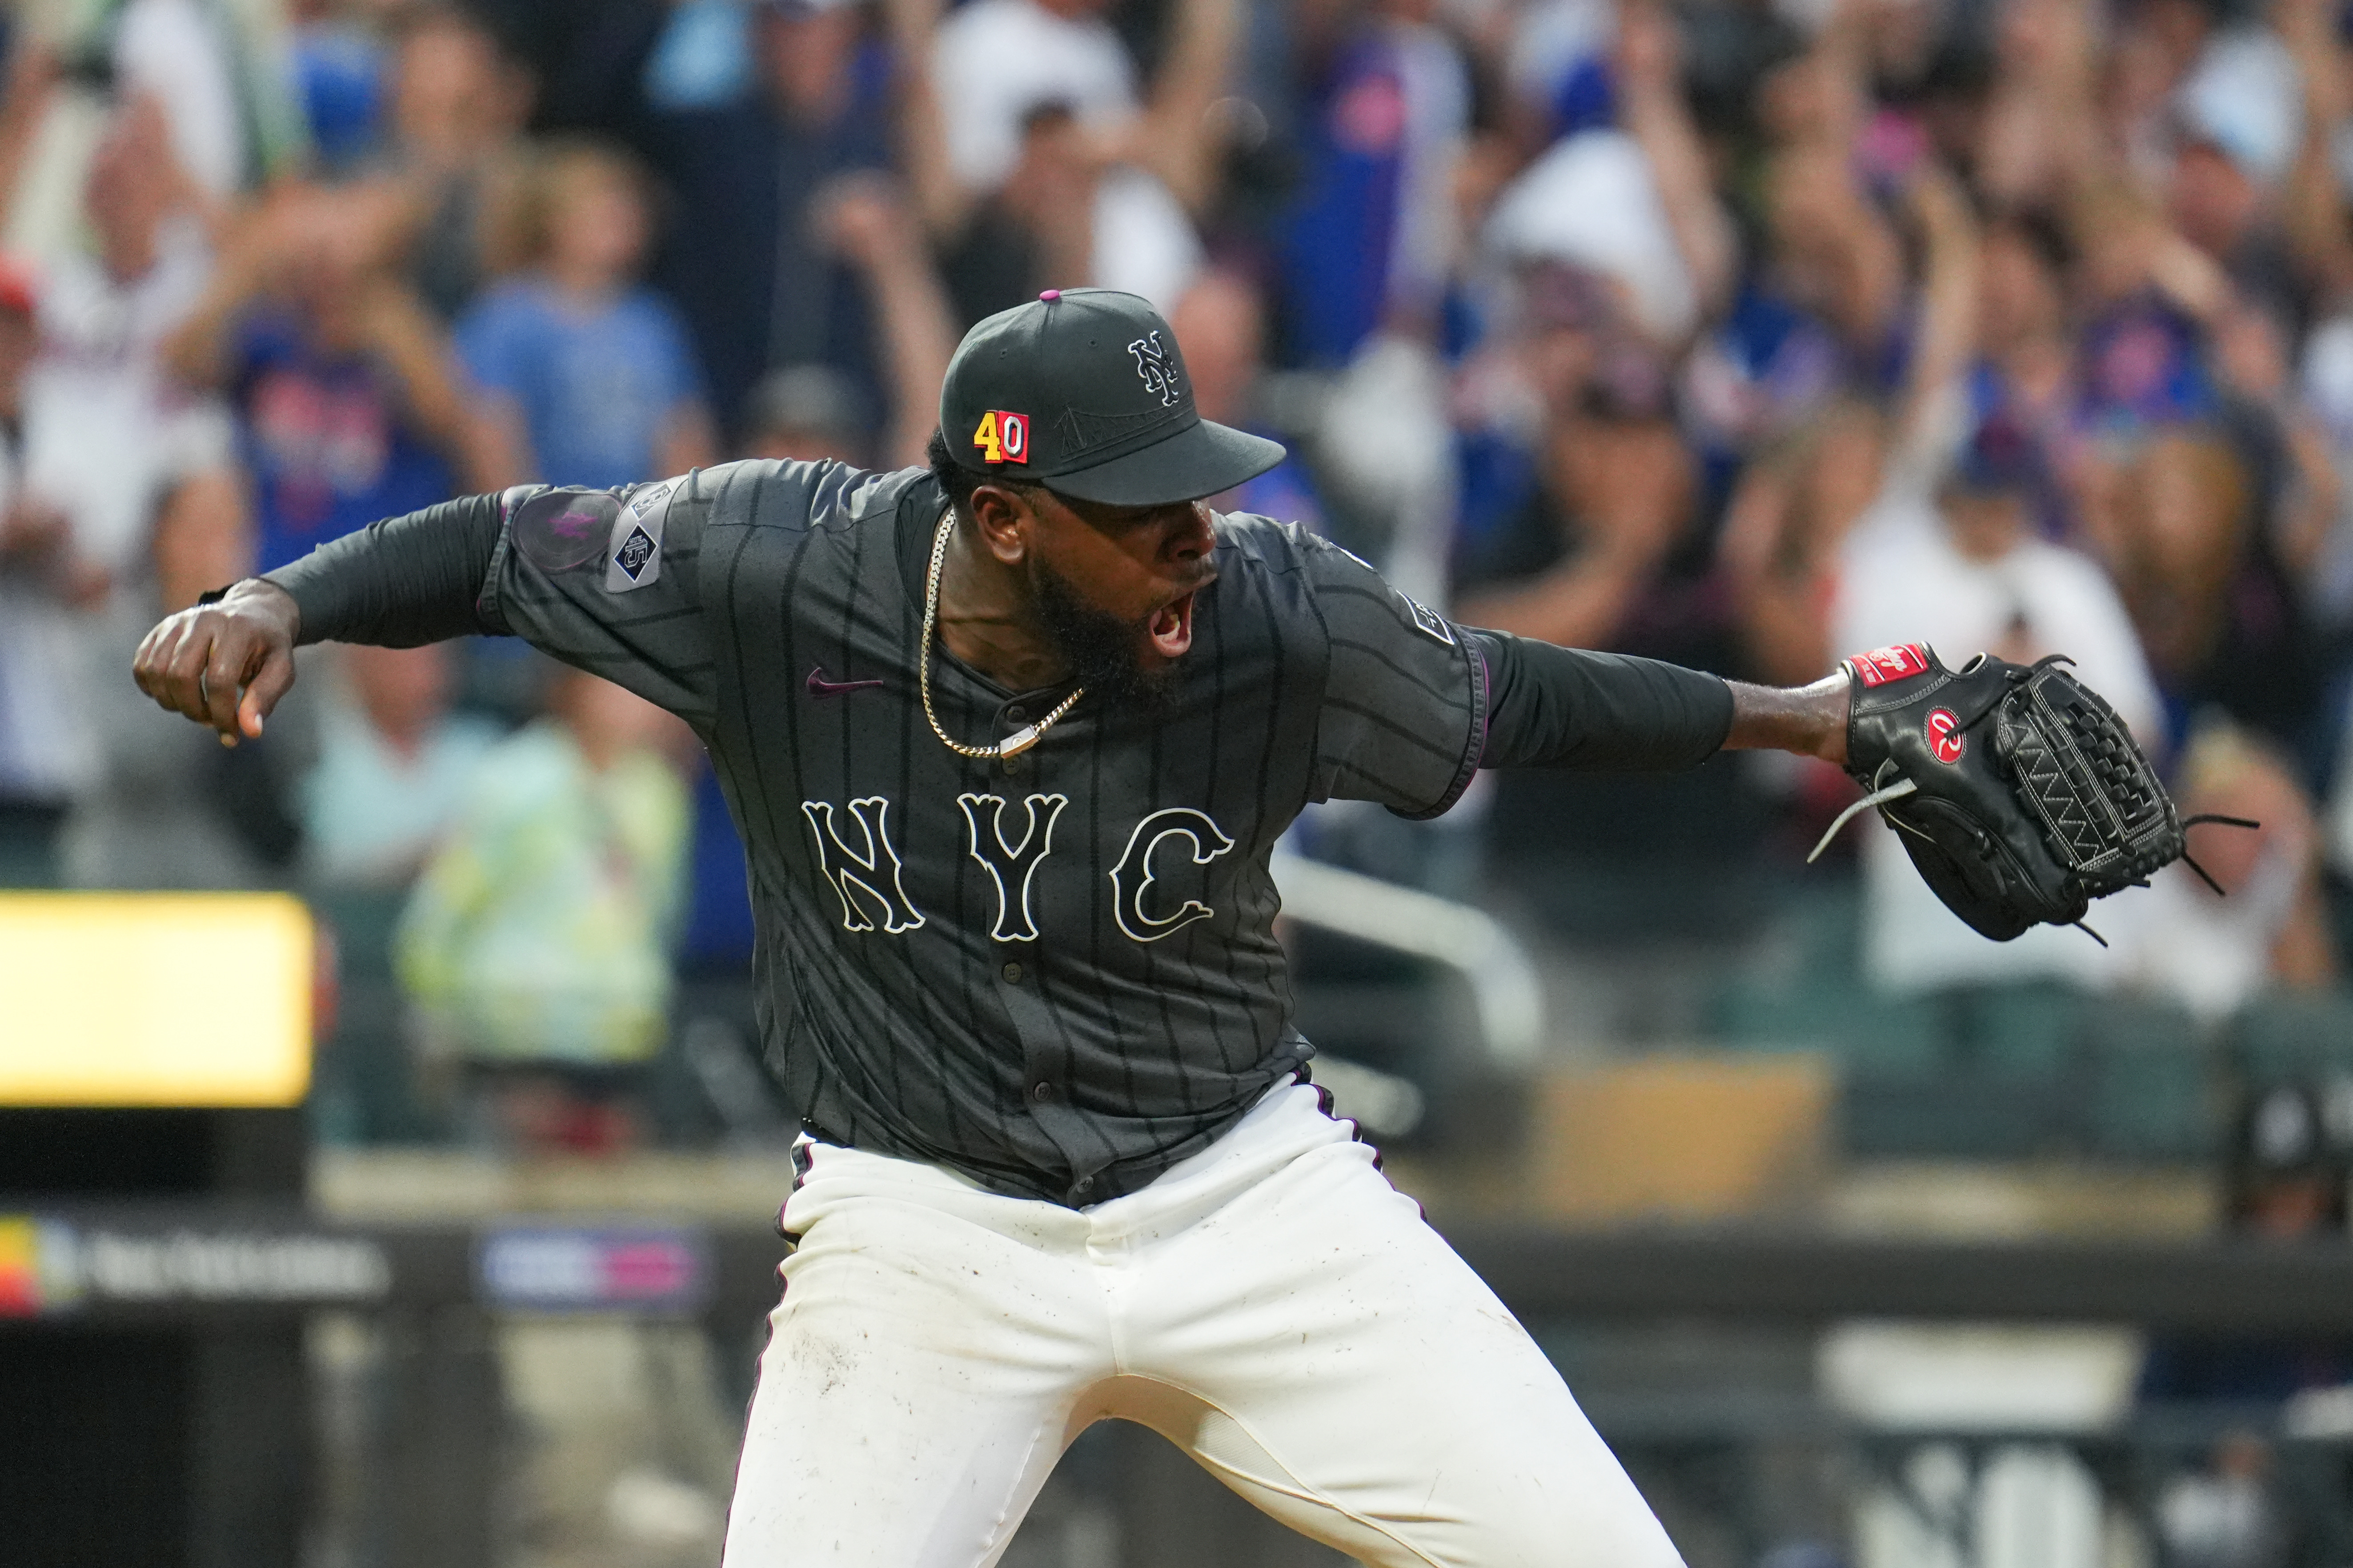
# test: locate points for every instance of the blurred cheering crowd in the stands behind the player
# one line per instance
(1745, 333)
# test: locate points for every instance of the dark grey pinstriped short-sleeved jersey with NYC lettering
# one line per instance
(1055, 974)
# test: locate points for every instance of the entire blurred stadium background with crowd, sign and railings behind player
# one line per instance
(1731, 333)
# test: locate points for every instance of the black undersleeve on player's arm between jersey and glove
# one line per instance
(1571, 709)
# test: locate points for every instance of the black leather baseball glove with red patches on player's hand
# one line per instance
(2018, 793)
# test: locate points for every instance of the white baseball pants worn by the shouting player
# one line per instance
(1272, 1306)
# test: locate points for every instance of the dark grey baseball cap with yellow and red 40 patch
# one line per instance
(1086, 391)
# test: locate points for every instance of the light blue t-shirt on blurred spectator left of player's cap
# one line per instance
(594, 387)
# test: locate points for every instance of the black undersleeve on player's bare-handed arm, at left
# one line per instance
(401, 582)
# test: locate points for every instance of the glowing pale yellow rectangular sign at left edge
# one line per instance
(154, 1000)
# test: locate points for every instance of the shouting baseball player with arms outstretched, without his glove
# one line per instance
(1011, 742)
